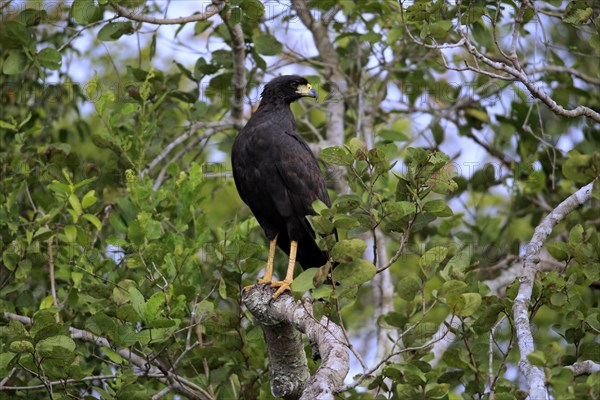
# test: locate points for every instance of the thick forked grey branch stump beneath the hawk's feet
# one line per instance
(289, 374)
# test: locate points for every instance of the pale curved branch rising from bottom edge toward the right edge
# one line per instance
(535, 375)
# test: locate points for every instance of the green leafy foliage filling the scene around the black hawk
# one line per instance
(116, 220)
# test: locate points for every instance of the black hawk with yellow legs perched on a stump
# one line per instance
(278, 177)
